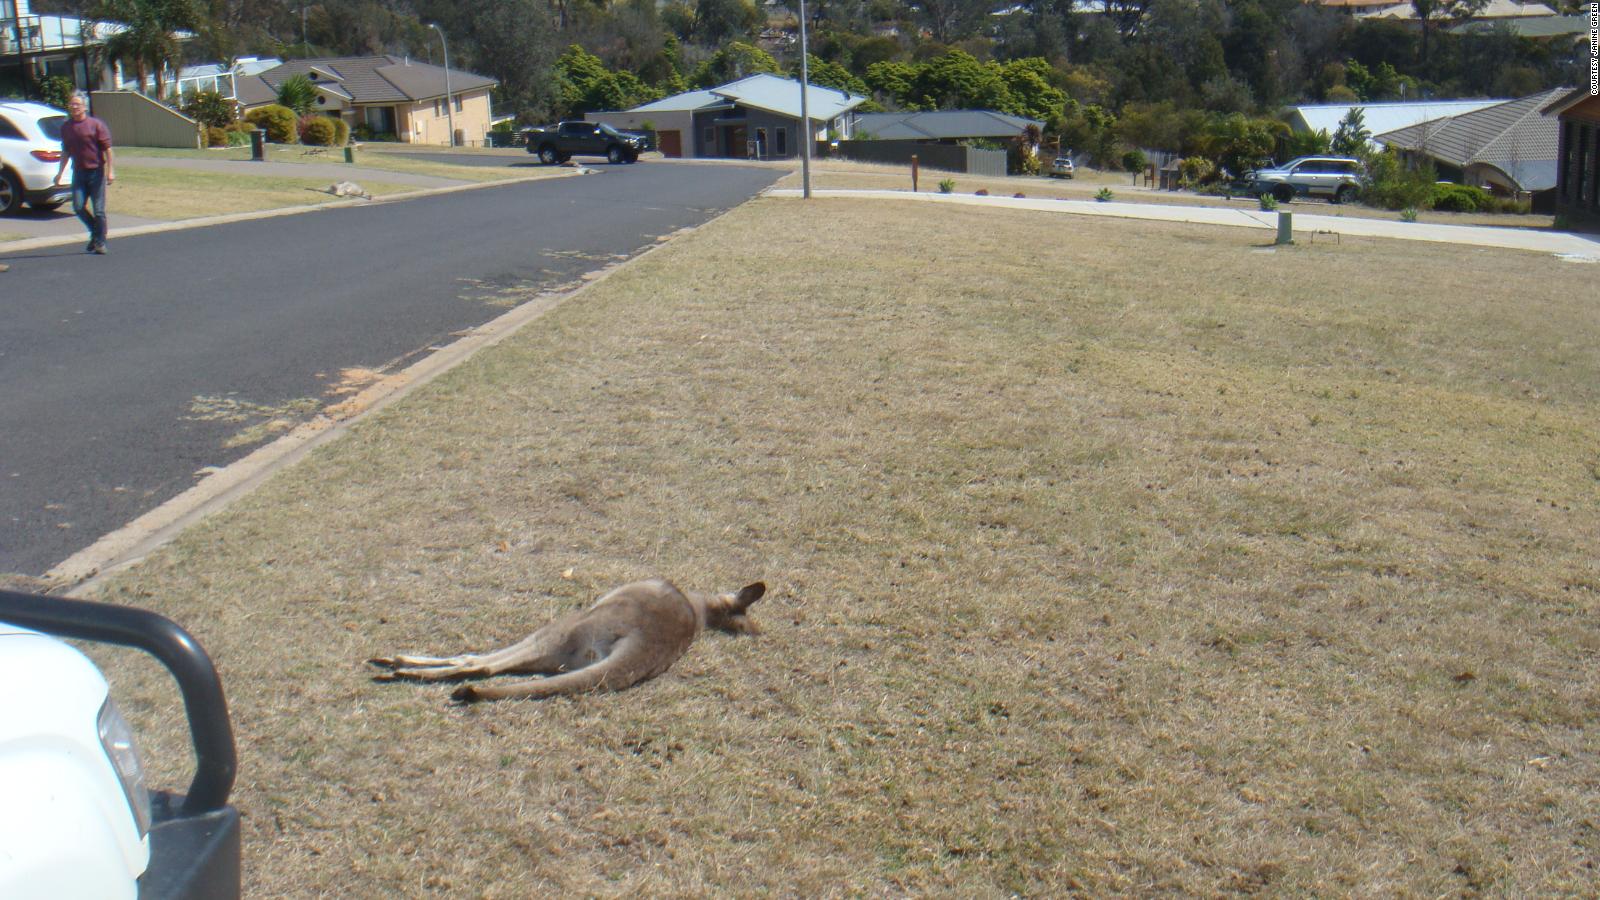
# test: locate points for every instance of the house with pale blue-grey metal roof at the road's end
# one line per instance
(756, 118)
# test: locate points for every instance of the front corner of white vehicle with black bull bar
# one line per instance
(78, 819)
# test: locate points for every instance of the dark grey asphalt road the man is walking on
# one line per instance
(127, 376)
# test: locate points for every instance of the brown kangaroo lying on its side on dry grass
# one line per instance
(628, 637)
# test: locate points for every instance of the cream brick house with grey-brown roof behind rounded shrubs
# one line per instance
(386, 95)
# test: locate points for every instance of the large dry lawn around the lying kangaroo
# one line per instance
(1162, 563)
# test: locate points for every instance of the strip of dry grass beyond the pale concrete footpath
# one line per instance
(874, 177)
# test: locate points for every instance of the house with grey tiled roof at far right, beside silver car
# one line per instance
(1508, 148)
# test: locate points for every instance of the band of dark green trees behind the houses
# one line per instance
(1098, 73)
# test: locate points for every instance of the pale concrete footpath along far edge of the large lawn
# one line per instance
(1567, 246)
